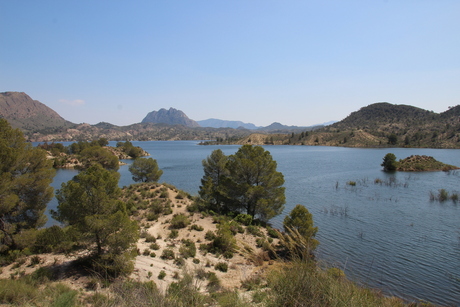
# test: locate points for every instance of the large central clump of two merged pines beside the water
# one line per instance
(246, 181)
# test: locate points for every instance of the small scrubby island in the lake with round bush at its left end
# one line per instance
(415, 163)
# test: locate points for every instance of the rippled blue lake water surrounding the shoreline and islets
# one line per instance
(388, 237)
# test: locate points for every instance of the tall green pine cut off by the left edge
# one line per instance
(25, 177)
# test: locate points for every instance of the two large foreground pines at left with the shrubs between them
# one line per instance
(89, 209)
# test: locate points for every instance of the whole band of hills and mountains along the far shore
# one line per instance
(376, 125)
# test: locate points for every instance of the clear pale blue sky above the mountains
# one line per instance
(258, 61)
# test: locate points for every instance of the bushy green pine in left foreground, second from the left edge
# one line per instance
(89, 203)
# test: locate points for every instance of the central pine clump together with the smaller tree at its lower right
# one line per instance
(248, 182)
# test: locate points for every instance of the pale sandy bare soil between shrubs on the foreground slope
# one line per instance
(243, 264)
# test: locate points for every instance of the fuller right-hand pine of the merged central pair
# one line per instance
(254, 185)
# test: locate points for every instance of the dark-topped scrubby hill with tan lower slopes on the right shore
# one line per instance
(377, 125)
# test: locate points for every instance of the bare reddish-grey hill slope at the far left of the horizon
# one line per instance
(30, 115)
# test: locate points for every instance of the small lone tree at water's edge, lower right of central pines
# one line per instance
(299, 239)
